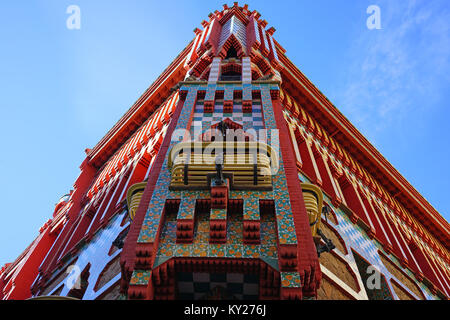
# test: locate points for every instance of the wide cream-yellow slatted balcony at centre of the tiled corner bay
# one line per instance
(247, 165)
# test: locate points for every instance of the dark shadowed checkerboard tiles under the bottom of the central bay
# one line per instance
(198, 286)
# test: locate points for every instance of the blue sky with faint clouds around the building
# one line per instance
(61, 89)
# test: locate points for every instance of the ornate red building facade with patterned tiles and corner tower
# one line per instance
(234, 177)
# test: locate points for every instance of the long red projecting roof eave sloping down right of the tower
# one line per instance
(344, 132)
